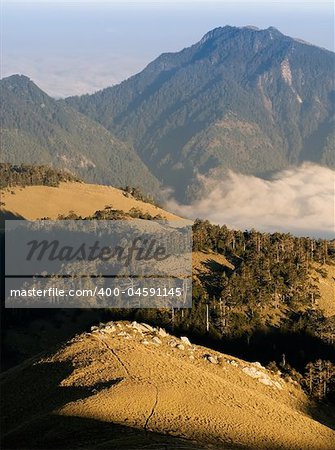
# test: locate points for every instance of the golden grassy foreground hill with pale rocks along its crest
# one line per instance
(125, 385)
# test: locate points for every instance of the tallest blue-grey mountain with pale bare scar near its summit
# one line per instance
(250, 100)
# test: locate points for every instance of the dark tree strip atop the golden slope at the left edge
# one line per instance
(28, 175)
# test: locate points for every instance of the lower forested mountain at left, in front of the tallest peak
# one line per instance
(36, 129)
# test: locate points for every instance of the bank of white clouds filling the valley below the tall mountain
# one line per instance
(298, 200)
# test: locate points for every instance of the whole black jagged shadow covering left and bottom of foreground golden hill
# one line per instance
(31, 395)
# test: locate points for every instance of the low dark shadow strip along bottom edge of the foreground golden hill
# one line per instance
(66, 432)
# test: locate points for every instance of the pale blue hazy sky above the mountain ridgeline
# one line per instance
(77, 47)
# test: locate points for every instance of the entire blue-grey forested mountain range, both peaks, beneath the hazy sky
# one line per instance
(254, 101)
